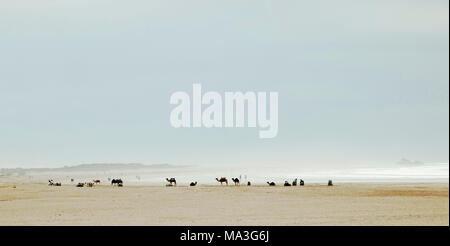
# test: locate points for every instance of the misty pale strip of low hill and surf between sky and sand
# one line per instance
(136, 174)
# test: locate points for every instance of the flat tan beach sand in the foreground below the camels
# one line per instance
(313, 204)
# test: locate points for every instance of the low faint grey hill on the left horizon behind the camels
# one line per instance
(87, 167)
